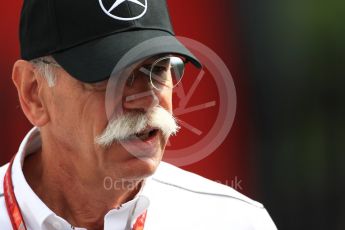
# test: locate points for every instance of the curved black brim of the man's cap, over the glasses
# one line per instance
(95, 61)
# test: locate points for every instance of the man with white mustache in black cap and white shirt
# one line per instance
(101, 124)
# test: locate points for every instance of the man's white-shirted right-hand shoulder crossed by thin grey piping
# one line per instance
(191, 198)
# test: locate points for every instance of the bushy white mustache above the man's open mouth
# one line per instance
(126, 126)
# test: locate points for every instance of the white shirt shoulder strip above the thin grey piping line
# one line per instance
(180, 179)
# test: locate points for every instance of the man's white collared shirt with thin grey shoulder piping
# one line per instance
(175, 199)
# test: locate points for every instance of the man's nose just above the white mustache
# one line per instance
(140, 95)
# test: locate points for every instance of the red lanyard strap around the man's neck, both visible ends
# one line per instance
(15, 215)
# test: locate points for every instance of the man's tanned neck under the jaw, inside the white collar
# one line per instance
(61, 187)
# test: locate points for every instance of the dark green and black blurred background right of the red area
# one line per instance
(295, 59)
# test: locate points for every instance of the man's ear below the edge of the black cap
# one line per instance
(28, 85)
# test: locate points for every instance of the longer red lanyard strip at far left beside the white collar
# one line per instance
(11, 202)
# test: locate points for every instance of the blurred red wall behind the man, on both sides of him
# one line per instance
(211, 23)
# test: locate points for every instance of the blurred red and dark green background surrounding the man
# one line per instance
(286, 148)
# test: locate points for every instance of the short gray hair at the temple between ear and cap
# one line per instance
(45, 66)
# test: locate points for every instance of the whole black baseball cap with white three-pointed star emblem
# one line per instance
(88, 37)
